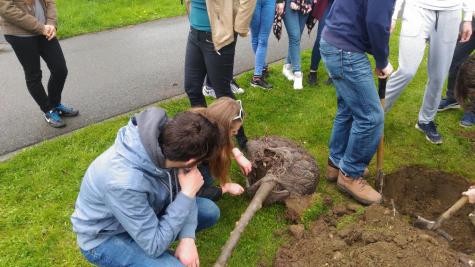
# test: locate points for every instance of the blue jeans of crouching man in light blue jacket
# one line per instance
(122, 250)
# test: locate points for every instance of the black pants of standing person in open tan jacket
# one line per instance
(202, 60)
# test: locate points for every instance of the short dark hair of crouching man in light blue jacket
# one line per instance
(189, 135)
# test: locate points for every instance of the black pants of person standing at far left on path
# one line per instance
(28, 51)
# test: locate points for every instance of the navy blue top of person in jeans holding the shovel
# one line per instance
(361, 26)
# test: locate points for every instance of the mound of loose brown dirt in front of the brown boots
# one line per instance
(377, 239)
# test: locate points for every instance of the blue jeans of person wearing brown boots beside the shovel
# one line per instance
(359, 121)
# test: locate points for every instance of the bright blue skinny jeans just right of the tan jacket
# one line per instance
(261, 26)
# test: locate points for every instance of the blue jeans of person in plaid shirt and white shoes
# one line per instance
(294, 24)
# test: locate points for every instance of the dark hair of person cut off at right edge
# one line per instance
(465, 84)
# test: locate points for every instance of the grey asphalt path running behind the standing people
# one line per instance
(110, 73)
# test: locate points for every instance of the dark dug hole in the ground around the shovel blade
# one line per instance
(417, 190)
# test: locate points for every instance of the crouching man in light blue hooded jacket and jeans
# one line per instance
(138, 196)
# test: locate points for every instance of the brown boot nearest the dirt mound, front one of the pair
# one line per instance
(359, 189)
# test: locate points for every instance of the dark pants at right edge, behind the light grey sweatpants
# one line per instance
(461, 53)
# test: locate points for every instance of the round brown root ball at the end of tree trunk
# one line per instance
(296, 171)
